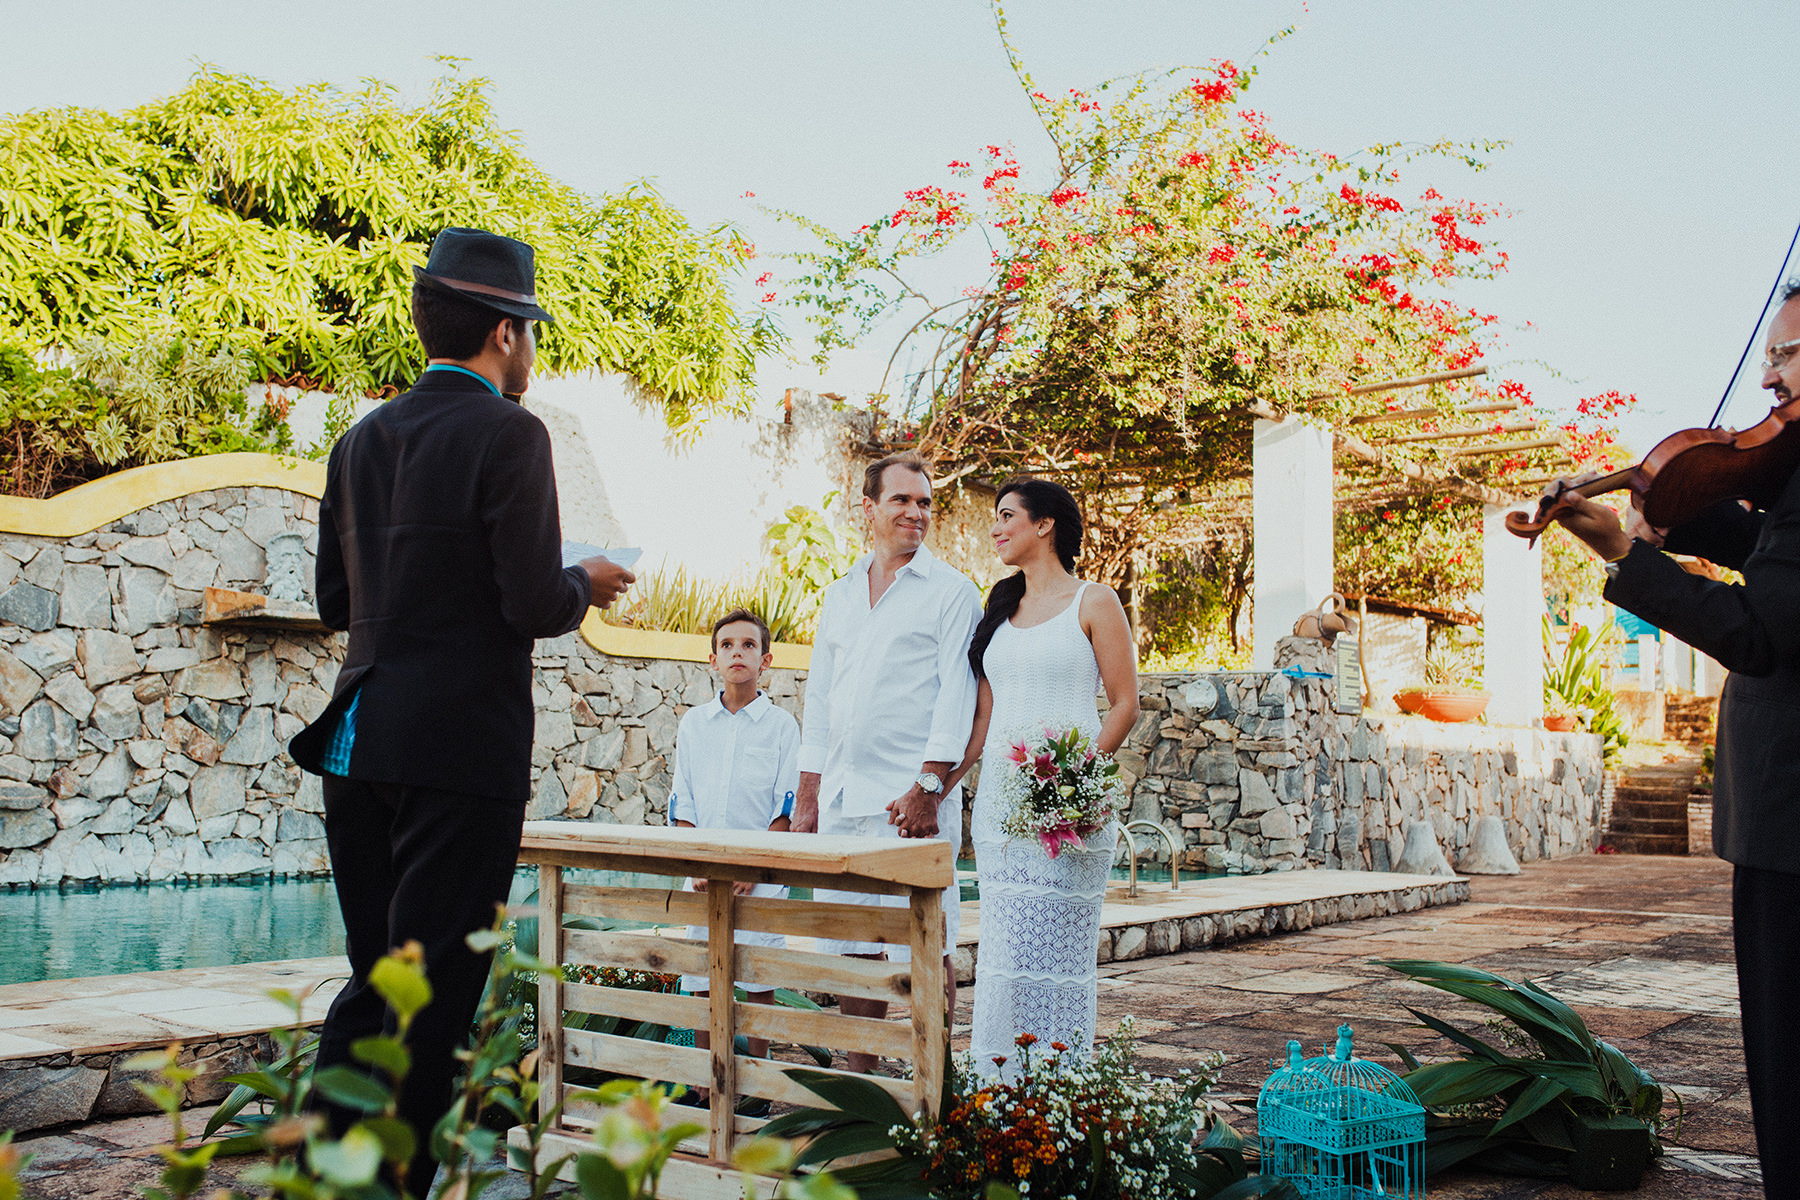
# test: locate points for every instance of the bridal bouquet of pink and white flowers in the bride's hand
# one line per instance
(1061, 789)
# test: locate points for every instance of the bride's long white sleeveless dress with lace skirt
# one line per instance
(1039, 915)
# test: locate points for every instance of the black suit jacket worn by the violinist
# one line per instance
(1754, 631)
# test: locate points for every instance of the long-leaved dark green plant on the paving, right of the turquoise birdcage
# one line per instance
(1516, 1113)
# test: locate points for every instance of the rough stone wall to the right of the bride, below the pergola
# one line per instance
(1257, 773)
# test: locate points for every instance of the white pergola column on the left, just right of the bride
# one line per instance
(1291, 490)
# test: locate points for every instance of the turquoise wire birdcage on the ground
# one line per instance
(1342, 1129)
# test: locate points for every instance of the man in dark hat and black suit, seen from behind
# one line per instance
(440, 550)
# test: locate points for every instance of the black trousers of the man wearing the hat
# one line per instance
(429, 866)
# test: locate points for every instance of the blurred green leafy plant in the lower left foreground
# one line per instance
(633, 1142)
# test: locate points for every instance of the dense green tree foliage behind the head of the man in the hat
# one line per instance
(283, 224)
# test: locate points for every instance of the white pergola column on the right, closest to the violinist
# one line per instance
(1513, 607)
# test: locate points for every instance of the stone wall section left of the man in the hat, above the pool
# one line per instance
(139, 744)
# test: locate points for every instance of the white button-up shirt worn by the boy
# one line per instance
(735, 771)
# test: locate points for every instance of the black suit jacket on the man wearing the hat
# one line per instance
(440, 550)
